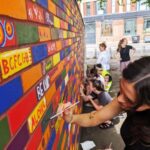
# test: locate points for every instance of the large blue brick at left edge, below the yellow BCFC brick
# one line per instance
(14, 88)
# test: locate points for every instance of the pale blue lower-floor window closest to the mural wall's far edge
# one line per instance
(90, 33)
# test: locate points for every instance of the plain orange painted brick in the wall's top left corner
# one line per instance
(16, 9)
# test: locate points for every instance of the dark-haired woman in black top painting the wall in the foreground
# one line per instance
(134, 98)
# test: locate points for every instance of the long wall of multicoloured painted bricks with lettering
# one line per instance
(41, 65)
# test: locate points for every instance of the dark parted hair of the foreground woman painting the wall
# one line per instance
(139, 72)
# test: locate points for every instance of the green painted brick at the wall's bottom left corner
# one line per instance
(4, 133)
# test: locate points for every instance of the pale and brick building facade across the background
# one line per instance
(117, 19)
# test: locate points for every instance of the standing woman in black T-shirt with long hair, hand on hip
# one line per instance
(124, 51)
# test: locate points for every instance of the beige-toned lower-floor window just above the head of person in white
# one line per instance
(107, 28)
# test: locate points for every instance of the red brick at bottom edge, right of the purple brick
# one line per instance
(35, 139)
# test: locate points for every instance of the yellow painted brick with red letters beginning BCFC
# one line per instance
(14, 61)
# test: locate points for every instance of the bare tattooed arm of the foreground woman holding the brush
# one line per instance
(97, 117)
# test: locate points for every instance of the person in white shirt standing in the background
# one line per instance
(103, 57)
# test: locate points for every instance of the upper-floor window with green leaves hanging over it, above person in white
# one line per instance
(99, 10)
